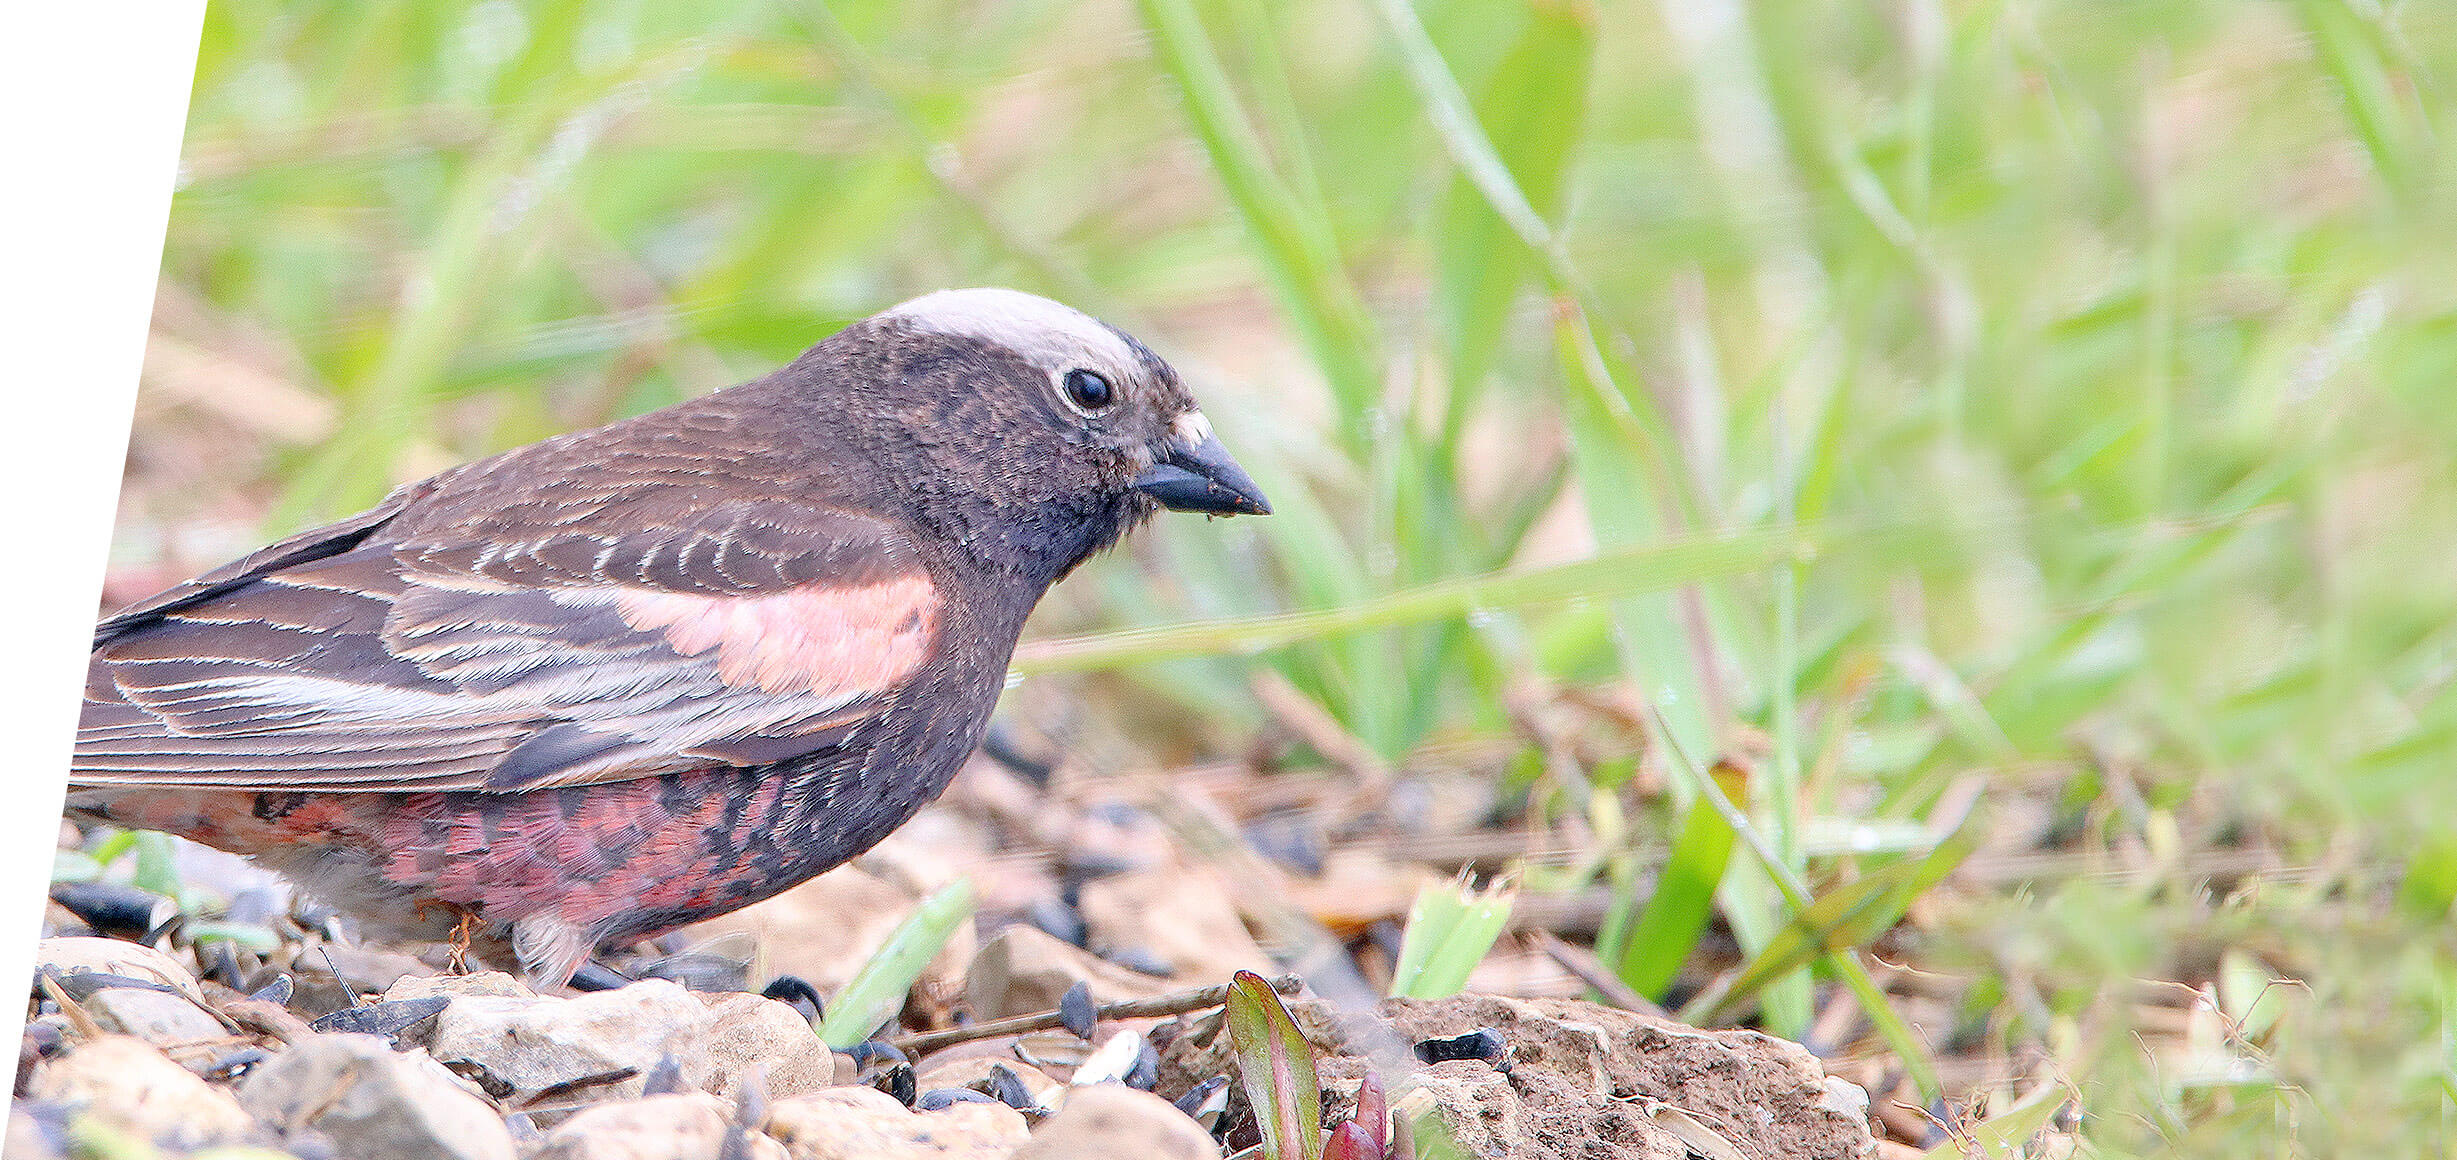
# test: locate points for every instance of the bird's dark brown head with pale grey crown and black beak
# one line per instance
(1065, 426)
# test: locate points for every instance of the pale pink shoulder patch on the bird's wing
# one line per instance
(827, 640)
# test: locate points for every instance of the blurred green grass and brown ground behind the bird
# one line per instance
(1999, 446)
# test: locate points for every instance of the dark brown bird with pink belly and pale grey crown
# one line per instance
(618, 682)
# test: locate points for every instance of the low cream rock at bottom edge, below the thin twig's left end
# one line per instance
(866, 1124)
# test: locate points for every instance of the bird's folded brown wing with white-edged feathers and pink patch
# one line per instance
(731, 635)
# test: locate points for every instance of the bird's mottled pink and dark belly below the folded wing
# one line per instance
(620, 859)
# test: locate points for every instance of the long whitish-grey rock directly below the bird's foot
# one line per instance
(566, 1046)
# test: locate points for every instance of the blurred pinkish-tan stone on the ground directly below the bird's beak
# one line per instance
(1181, 915)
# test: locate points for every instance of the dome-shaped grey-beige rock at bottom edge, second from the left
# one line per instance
(372, 1102)
